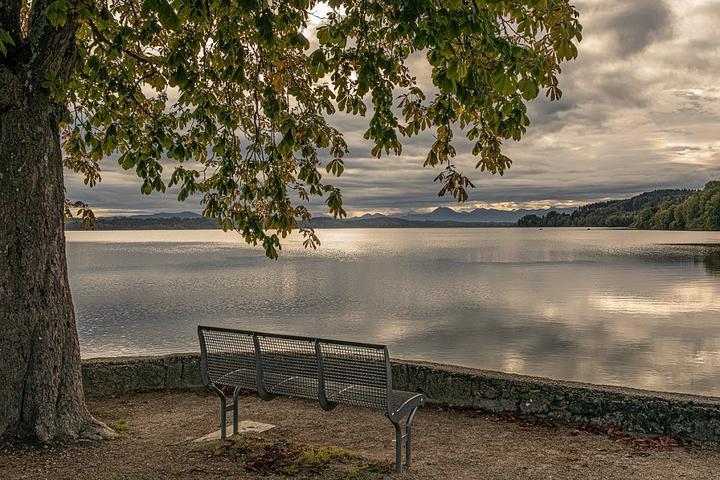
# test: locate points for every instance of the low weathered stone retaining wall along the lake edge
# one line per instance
(689, 417)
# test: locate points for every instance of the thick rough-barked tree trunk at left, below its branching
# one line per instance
(41, 392)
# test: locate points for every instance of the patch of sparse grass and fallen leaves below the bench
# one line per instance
(266, 457)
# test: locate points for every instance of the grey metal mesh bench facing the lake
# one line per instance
(329, 371)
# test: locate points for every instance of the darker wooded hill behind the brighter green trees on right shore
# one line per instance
(613, 213)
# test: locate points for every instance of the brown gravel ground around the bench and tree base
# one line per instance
(158, 429)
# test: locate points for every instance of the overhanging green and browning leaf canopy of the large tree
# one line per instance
(233, 100)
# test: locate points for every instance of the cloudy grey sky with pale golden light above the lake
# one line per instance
(640, 111)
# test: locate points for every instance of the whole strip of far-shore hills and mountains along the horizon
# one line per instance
(669, 209)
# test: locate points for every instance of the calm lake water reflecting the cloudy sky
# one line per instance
(618, 307)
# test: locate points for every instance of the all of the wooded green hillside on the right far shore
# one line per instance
(656, 210)
